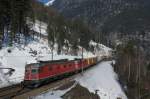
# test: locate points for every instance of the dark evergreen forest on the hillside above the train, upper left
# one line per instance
(13, 24)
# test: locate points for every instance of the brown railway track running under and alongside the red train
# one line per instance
(18, 92)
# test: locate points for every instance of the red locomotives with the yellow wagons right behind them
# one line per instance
(45, 71)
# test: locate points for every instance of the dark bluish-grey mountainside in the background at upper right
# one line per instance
(114, 19)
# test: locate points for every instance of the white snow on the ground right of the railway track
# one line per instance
(101, 77)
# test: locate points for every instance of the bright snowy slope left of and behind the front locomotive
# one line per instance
(18, 58)
